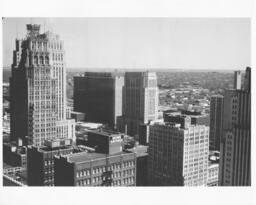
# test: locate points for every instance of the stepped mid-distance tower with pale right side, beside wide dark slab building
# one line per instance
(140, 102)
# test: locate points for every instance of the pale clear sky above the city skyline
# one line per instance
(186, 43)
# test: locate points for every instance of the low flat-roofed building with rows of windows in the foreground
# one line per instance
(95, 169)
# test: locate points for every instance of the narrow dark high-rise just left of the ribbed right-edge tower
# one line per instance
(216, 120)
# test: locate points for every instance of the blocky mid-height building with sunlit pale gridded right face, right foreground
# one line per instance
(178, 154)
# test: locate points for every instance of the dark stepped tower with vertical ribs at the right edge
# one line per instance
(235, 152)
